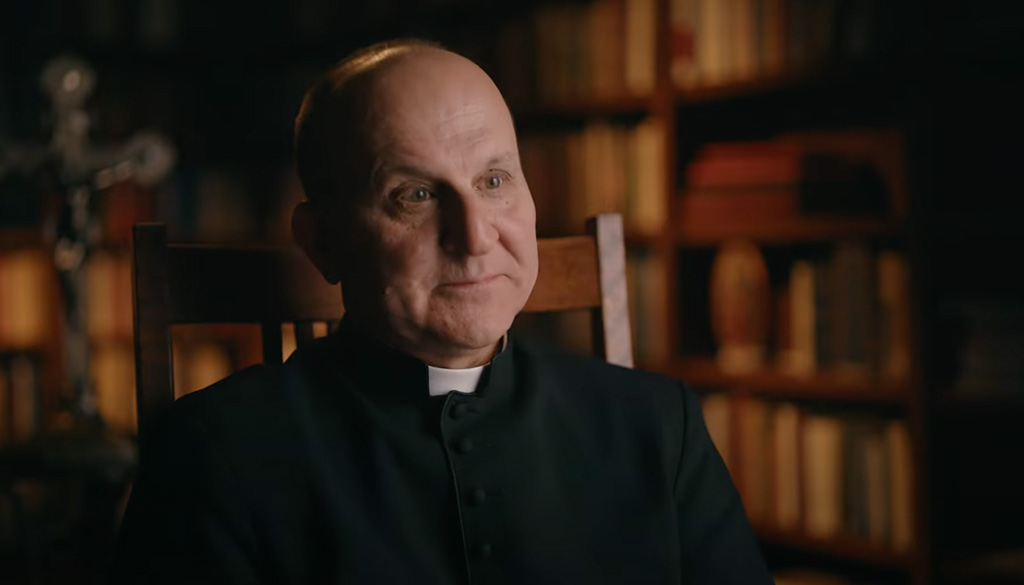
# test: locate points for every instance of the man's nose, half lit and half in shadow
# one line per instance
(468, 225)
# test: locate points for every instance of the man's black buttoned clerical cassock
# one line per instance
(339, 468)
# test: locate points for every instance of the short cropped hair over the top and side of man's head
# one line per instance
(359, 96)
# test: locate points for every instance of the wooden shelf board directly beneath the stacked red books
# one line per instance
(798, 231)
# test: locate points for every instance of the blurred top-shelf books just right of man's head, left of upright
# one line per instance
(572, 52)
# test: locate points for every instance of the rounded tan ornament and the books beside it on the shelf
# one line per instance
(845, 312)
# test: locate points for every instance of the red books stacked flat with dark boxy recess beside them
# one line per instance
(792, 178)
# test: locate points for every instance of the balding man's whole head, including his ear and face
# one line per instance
(418, 203)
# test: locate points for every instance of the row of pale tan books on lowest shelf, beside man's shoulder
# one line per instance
(815, 473)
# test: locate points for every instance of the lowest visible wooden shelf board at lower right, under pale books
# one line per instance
(842, 548)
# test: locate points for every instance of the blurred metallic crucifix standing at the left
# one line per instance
(83, 171)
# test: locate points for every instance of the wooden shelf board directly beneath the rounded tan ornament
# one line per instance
(704, 373)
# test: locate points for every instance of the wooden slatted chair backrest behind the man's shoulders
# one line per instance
(188, 283)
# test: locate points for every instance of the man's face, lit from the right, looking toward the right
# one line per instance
(443, 249)
